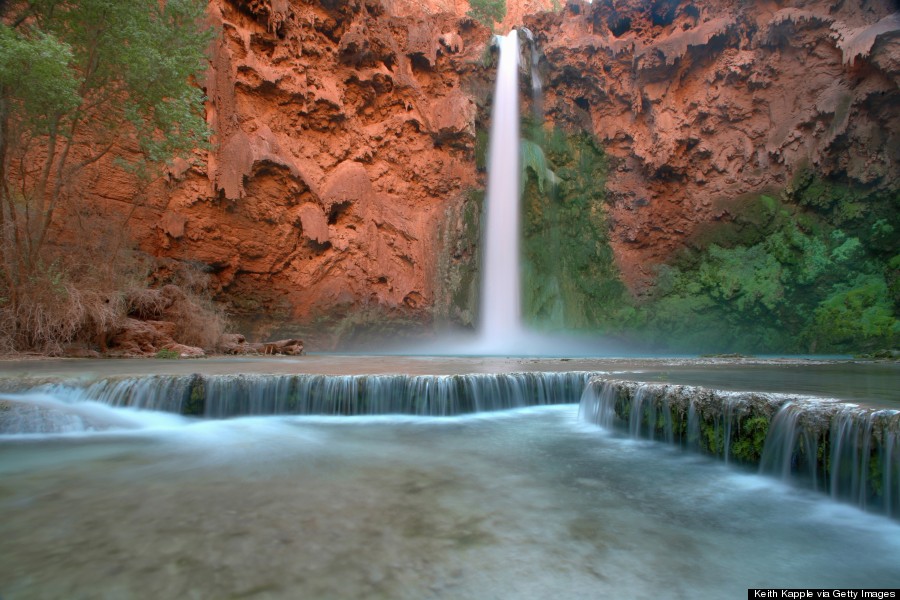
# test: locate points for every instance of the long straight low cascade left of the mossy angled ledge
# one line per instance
(222, 396)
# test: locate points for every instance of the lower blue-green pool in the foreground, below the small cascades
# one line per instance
(521, 504)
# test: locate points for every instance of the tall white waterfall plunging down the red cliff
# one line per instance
(500, 321)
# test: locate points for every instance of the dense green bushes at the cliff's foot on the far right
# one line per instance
(781, 278)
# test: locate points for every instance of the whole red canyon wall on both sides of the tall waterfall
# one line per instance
(342, 184)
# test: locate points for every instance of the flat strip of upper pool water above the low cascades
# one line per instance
(870, 382)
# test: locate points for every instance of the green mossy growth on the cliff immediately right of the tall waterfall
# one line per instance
(570, 278)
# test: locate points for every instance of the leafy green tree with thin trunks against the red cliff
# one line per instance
(81, 80)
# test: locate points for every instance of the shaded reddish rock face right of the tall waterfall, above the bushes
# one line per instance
(698, 104)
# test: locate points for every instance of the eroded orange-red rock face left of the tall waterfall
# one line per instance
(342, 132)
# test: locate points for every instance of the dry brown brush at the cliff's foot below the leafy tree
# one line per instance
(88, 279)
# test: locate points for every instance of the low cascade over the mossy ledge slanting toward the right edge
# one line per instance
(847, 451)
